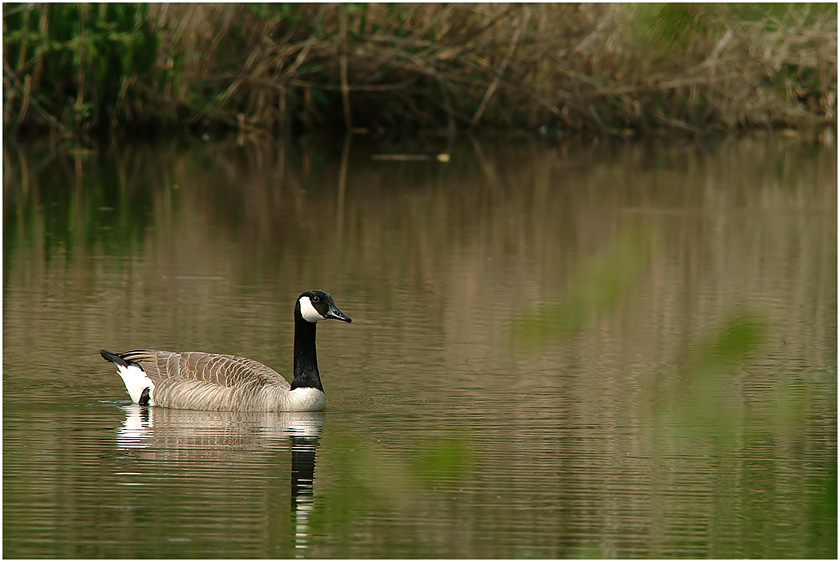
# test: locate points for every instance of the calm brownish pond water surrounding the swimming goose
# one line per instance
(575, 350)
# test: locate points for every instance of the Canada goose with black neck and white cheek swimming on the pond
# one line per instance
(208, 381)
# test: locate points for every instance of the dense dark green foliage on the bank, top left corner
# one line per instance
(82, 60)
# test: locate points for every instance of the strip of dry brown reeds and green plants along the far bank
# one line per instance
(88, 70)
